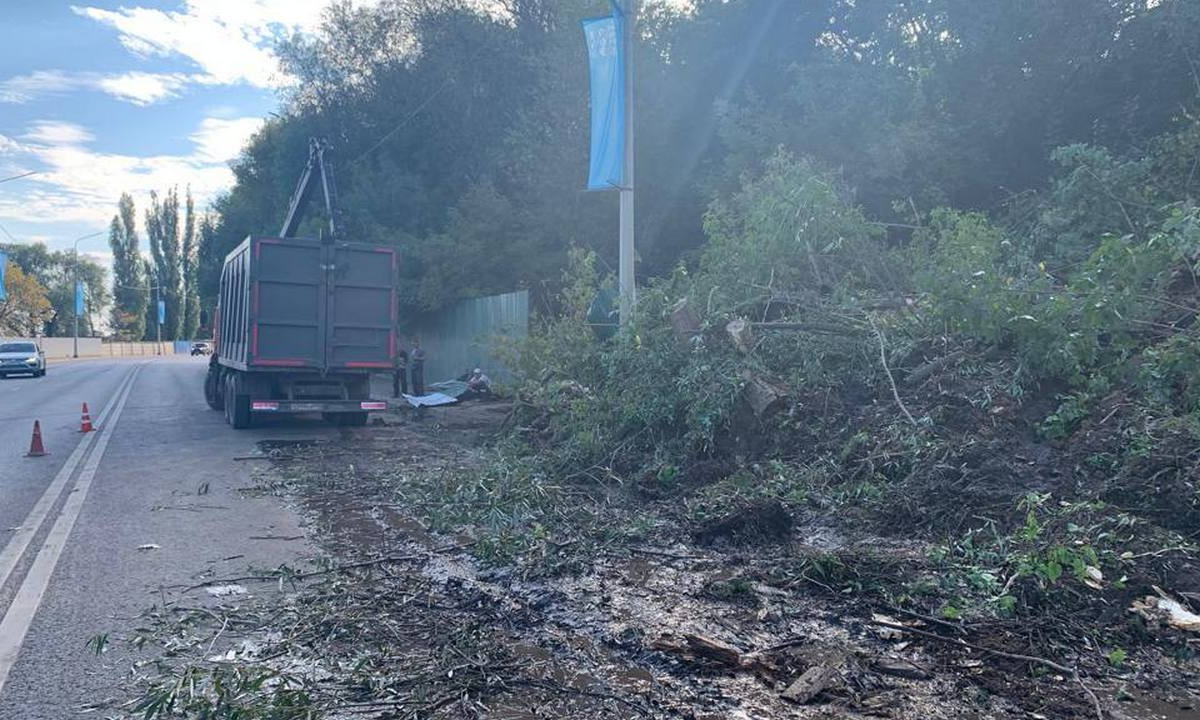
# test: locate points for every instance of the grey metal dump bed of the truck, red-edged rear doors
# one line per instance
(295, 304)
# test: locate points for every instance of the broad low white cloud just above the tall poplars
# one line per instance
(77, 184)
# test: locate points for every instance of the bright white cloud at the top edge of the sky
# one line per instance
(230, 41)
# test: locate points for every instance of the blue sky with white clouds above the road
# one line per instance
(101, 98)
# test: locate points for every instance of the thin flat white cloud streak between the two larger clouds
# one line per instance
(140, 88)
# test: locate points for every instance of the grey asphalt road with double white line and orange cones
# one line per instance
(160, 472)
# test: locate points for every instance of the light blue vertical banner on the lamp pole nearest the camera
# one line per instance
(607, 61)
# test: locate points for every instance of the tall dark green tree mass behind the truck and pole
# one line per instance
(461, 136)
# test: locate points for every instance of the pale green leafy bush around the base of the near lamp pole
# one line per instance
(651, 398)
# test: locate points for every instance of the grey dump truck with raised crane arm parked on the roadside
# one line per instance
(302, 325)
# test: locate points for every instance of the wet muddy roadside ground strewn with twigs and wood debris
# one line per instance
(778, 621)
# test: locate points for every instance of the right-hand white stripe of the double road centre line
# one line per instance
(17, 621)
